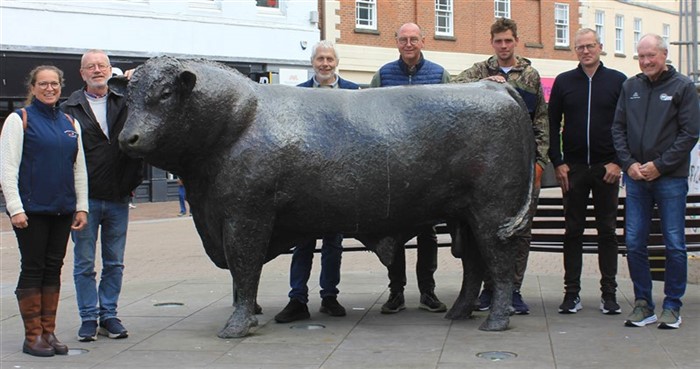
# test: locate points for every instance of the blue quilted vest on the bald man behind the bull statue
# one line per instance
(397, 73)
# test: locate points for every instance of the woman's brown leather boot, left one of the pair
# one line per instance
(29, 300)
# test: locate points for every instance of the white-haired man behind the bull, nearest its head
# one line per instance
(324, 59)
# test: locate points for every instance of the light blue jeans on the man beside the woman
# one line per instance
(111, 220)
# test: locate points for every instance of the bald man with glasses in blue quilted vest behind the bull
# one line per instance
(412, 69)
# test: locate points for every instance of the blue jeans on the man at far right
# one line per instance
(669, 194)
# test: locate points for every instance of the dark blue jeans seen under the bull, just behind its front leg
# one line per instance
(300, 270)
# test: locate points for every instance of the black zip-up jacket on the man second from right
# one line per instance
(588, 108)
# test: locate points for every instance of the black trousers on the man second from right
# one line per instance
(584, 180)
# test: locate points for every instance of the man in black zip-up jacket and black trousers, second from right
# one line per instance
(585, 162)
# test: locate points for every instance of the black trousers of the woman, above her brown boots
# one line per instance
(42, 247)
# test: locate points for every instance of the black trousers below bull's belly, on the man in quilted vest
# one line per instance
(426, 264)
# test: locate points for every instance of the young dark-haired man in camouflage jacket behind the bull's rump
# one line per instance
(506, 67)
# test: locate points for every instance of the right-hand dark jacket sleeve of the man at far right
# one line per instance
(688, 121)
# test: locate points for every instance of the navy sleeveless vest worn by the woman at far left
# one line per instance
(46, 178)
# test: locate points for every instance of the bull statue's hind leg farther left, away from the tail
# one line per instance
(464, 246)
